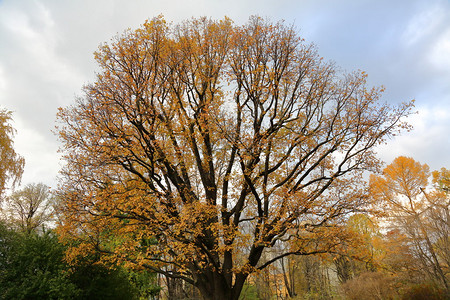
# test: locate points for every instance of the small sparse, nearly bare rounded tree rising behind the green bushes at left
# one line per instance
(30, 207)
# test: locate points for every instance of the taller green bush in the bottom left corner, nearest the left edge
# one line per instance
(32, 267)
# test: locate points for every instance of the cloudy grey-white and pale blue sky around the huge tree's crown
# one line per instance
(46, 56)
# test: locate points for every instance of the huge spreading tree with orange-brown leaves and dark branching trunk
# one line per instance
(202, 144)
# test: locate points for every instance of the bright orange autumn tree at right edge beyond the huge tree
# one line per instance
(423, 217)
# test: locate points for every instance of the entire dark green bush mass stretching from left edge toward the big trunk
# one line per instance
(32, 266)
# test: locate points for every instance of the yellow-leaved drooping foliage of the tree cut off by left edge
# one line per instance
(11, 163)
